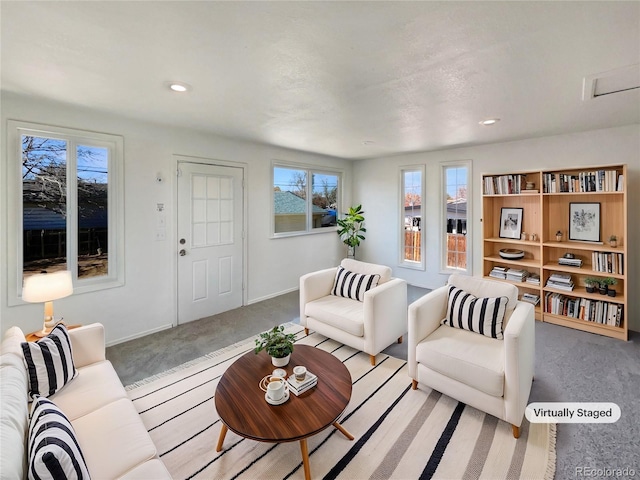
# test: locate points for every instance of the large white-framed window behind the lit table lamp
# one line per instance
(70, 200)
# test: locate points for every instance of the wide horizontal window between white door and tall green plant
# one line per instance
(304, 200)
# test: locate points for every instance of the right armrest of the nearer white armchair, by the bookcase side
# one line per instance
(519, 362)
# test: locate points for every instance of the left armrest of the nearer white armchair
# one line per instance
(425, 315)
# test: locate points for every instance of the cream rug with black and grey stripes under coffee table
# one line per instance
(399, 433)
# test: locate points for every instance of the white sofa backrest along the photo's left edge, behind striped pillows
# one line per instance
(14, 407)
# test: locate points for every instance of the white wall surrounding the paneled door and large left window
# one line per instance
(147, 301)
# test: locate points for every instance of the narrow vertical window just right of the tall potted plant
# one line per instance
(411, 227)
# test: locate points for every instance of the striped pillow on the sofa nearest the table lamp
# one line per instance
(49, 362)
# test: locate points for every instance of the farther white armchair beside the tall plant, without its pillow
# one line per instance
(370, 325)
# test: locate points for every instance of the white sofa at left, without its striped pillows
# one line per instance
(111, 435)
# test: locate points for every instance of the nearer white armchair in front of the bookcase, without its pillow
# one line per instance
(488, 374)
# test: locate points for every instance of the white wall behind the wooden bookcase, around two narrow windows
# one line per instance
(376, 186)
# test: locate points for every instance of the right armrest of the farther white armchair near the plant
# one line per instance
(385, 314)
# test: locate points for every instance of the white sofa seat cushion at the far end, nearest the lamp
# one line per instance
(97, 385)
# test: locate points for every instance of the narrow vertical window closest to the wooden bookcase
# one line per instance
(456, 203)
